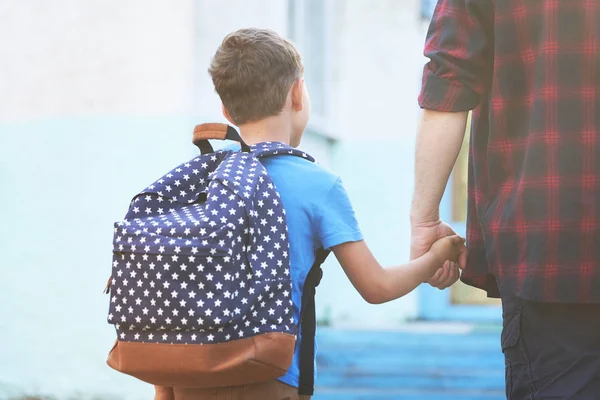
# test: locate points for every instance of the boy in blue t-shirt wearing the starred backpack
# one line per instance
(258, 76)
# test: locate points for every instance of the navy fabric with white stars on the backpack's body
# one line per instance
(168, 225)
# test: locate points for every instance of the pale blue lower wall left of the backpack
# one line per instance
(63, 184)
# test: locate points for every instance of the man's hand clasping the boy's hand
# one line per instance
(423, 235)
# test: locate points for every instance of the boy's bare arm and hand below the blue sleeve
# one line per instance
(379, 285)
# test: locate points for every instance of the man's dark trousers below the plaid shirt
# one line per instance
(551, 350)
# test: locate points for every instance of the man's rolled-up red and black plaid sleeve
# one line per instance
(459, 48)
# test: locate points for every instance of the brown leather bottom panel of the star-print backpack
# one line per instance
(239, 362)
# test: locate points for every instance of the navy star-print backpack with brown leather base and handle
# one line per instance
(200, 291)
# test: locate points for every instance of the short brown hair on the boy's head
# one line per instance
(253, 71)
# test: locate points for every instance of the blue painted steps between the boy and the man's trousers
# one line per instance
(402, 365)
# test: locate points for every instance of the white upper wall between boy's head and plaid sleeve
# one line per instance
(380, 46)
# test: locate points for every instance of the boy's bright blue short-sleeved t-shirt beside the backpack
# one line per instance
(319, 215)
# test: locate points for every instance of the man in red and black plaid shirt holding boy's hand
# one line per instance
(530, 70)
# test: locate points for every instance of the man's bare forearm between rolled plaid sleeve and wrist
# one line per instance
(439, 141)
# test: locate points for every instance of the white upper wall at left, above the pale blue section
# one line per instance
(68, 57)
